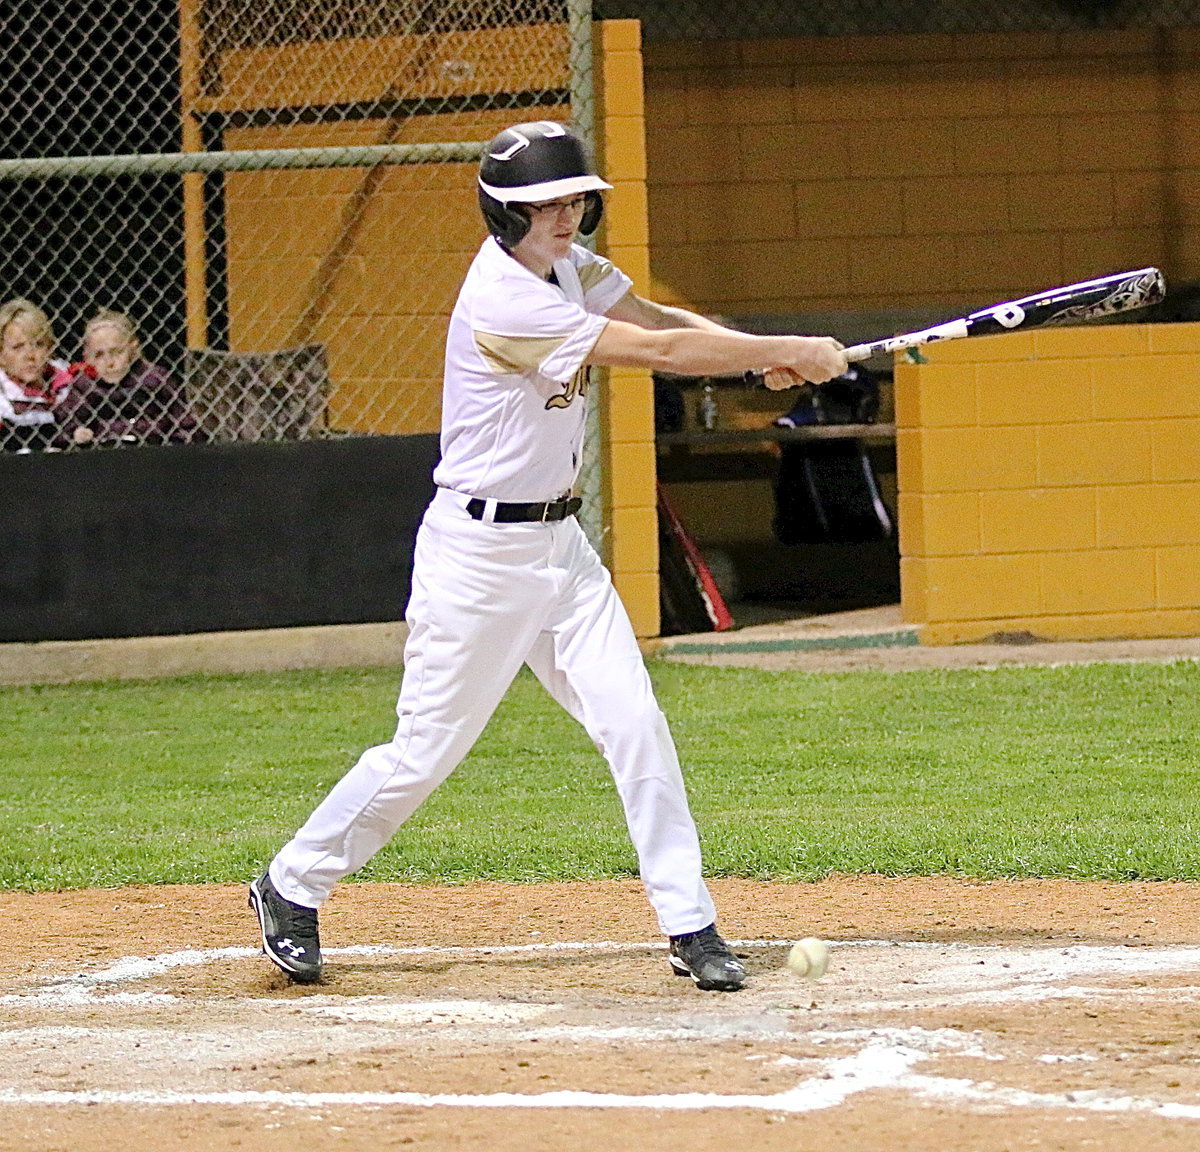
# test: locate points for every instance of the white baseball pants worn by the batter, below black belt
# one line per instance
(488, 598)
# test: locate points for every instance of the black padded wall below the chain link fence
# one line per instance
(206, 538)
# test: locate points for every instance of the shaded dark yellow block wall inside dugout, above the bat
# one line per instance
(867, 173)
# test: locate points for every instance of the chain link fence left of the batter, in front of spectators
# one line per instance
(249, 221)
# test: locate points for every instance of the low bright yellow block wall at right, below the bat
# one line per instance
(1051, 484)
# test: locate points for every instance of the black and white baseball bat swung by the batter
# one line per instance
(1075, 304)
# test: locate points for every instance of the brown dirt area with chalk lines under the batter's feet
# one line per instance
(956, 1016)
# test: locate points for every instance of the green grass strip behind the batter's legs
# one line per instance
(1087, 772)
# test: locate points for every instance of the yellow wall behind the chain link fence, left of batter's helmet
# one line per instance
(368, 262)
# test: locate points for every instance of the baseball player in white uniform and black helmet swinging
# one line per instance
(503, 574)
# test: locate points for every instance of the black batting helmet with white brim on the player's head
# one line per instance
(531, 163)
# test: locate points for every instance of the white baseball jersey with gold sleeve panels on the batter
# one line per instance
(513, 406)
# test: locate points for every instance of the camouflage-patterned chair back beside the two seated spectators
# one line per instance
(260, 397)
